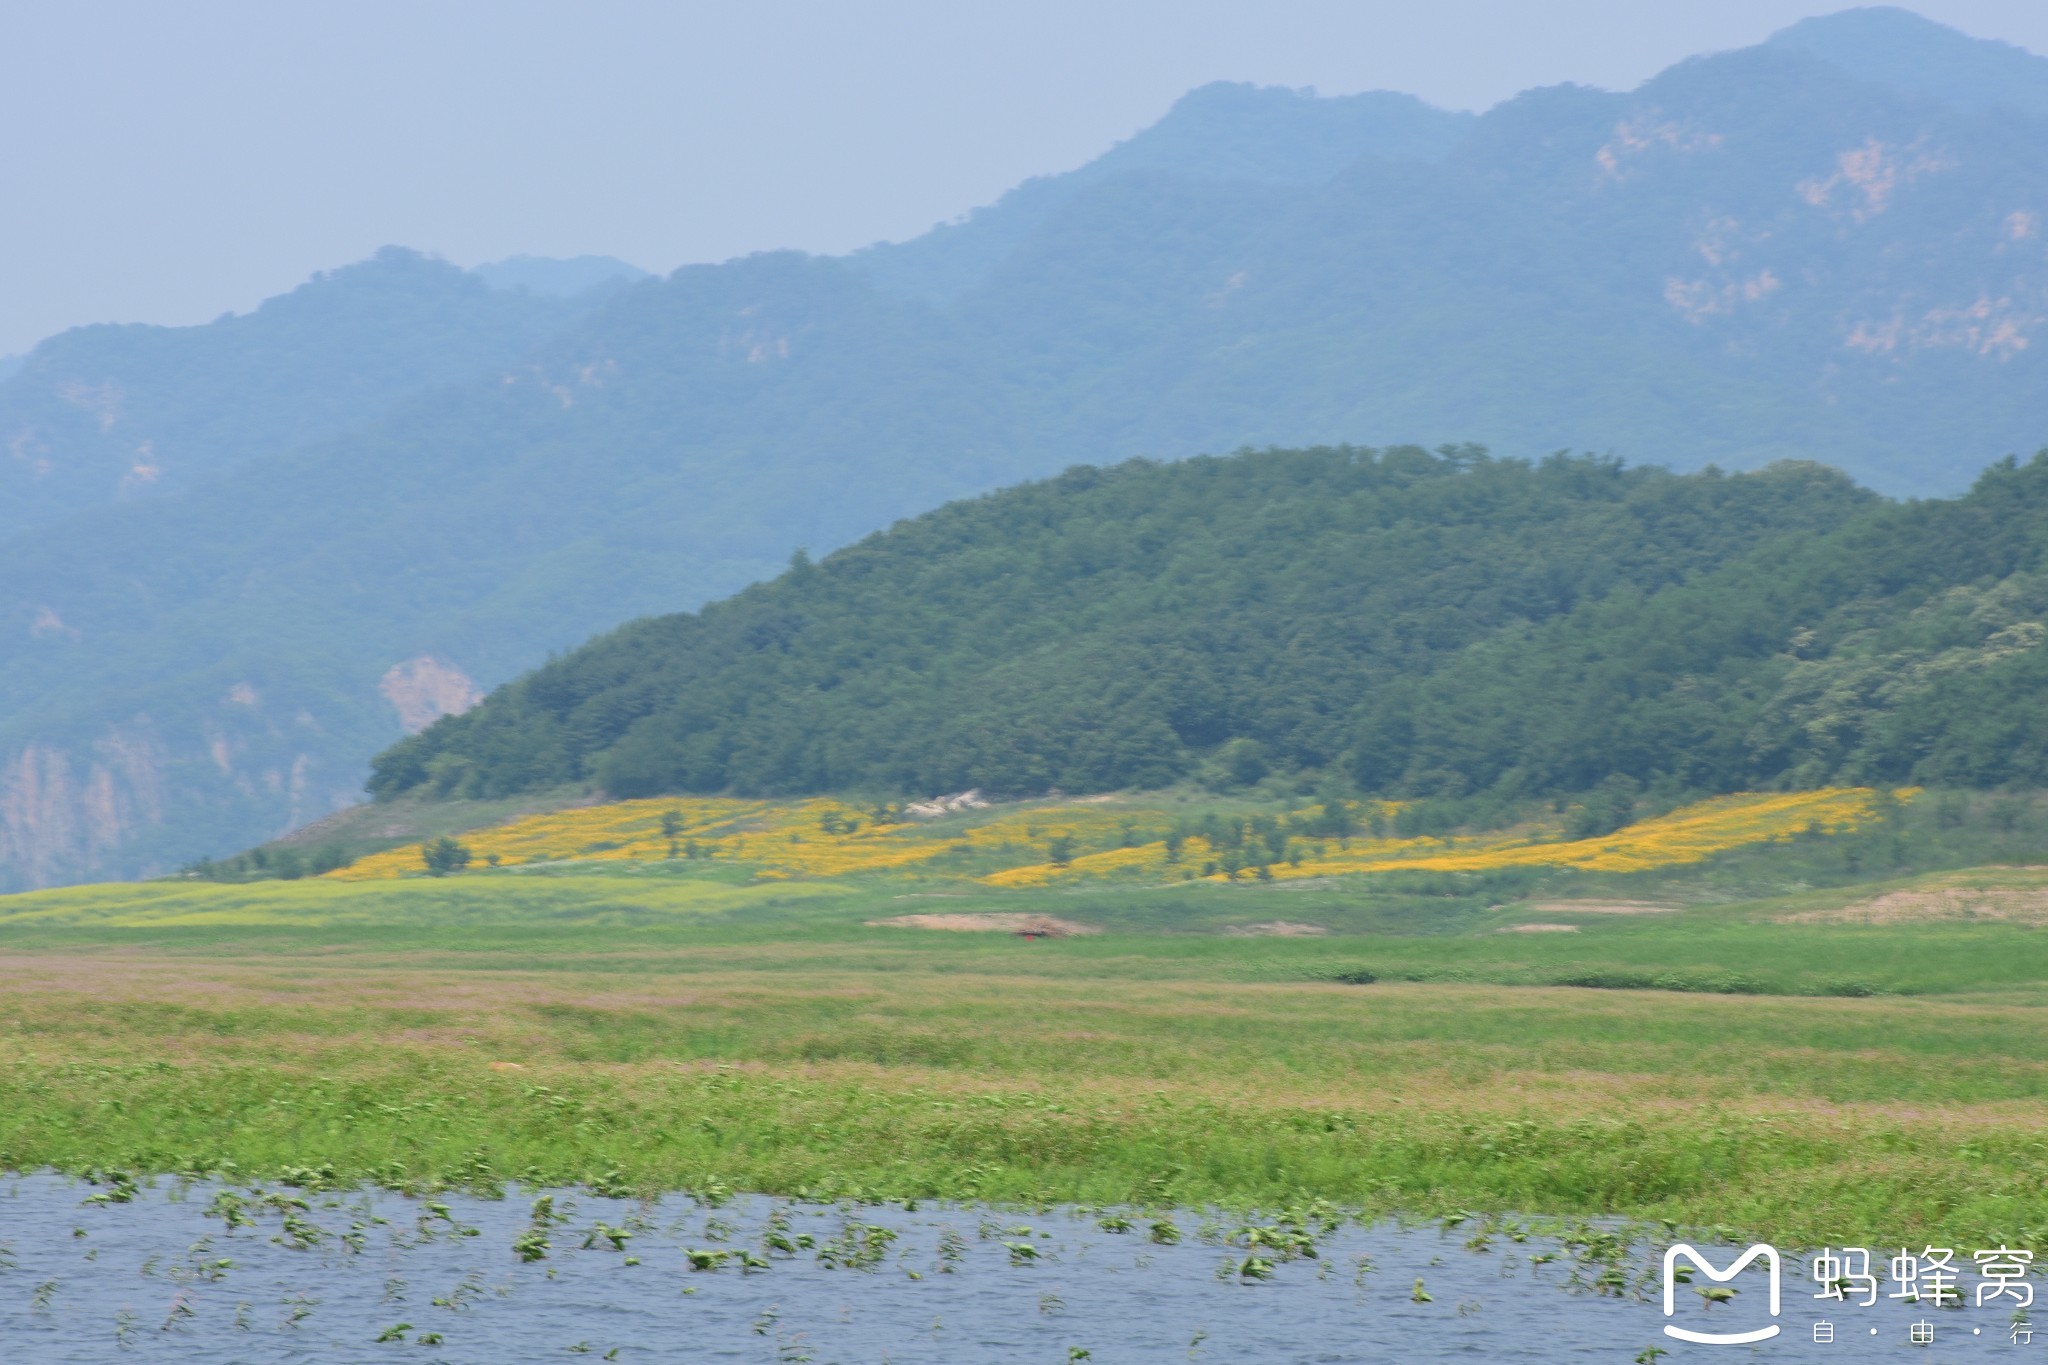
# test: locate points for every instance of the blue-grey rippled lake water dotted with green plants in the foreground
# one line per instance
(198, 1272)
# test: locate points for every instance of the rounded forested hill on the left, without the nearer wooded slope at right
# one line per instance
(1113, 627)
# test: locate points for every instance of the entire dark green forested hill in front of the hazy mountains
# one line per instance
(1428, 623)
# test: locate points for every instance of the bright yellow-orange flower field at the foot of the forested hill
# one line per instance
(826, 838)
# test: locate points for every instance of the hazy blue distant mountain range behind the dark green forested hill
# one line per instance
(243, 558)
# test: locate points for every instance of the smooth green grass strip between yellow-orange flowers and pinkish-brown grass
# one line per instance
(566, 920)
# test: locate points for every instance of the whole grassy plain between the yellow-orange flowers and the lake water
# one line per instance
(1770, 1039)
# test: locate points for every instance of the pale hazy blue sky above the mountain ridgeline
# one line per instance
(169, 163)
